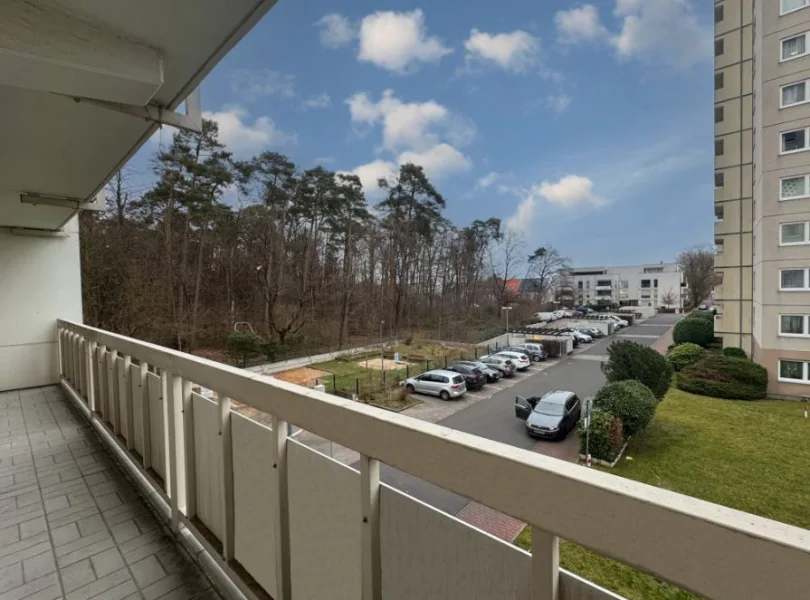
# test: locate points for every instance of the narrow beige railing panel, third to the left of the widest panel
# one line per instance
(208, 458)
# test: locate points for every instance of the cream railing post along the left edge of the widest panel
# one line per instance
(370, 499)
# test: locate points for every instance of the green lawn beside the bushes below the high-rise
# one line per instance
(752, 456)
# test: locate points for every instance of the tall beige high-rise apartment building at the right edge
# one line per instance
(762, 185)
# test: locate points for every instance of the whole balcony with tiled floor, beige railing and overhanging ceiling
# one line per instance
(126, 469)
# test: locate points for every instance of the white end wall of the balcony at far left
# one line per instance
(40, 281)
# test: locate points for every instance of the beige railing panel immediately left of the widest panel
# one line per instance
(325, 527)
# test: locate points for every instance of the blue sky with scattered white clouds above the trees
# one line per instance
(583, 126)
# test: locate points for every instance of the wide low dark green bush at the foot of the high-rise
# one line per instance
(725, 377)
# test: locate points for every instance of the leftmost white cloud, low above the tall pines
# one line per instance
(245, 136)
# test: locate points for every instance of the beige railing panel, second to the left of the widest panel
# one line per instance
(254, 527)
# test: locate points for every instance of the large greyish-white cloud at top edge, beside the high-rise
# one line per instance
(662, 32)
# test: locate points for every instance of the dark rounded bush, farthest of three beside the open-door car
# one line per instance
(631, 361)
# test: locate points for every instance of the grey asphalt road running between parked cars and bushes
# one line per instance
(494, 418)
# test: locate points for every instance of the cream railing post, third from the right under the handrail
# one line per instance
(282, 512)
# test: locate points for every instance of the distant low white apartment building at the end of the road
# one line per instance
(652, 285)
